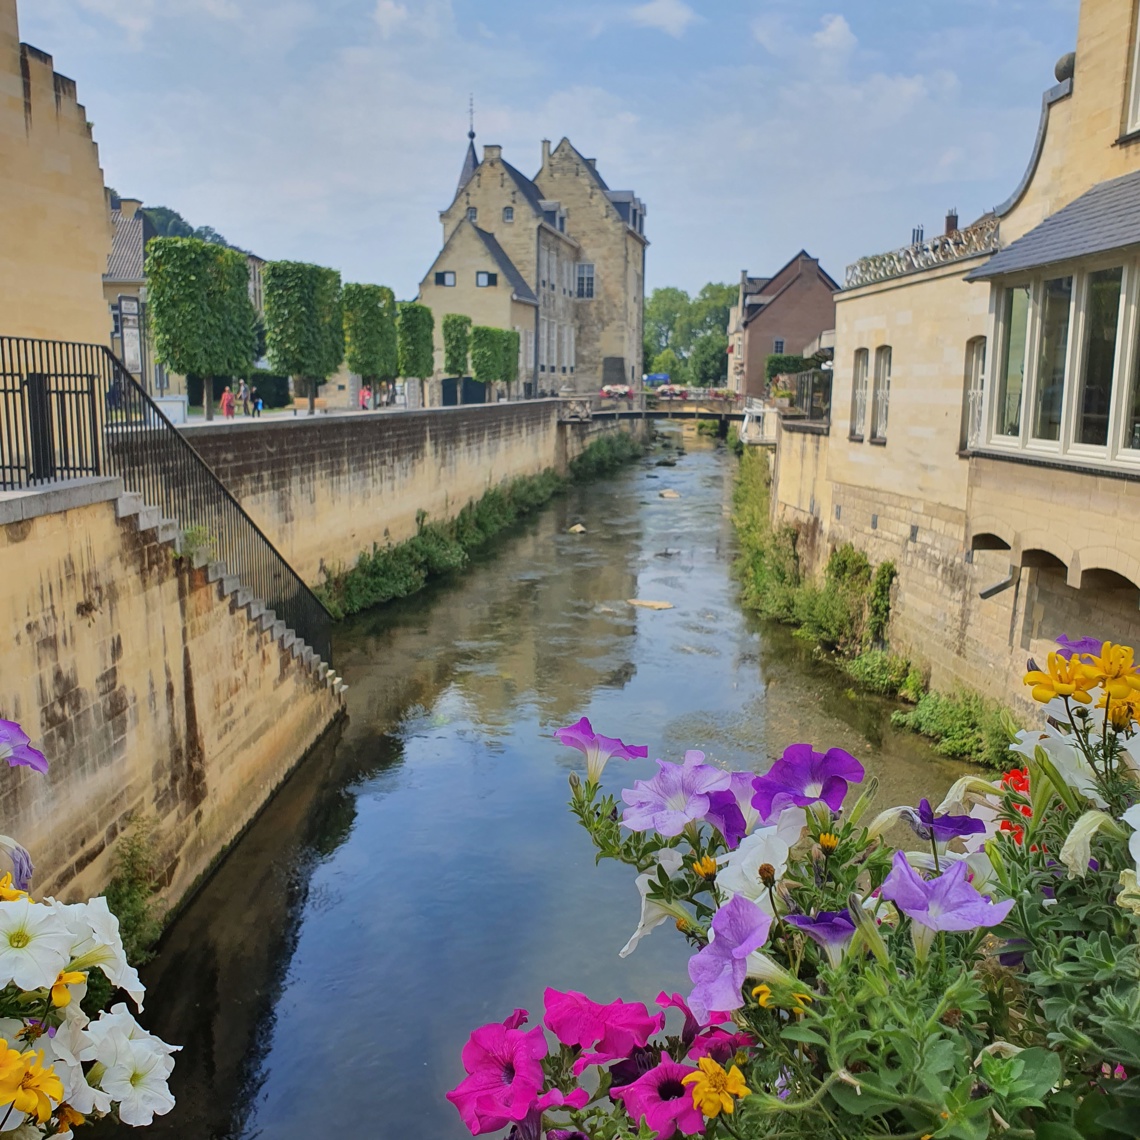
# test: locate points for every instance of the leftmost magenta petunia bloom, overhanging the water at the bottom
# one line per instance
(504, 1076)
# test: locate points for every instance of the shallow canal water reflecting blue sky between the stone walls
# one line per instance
(421, 875)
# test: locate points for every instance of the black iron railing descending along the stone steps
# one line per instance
(72, 411)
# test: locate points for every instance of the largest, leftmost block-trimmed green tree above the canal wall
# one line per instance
(200, 310)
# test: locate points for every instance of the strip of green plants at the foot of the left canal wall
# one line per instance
(401, 569)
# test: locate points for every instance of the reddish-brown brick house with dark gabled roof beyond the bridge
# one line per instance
(779, 315)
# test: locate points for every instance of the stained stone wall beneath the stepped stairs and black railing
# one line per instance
(149, 687)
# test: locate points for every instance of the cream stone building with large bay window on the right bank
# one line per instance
(987, 426)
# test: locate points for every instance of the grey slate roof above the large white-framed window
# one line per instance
(1103, 219)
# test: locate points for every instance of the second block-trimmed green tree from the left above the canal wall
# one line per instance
(305, 323)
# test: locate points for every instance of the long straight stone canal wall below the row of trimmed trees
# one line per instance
(324, 490)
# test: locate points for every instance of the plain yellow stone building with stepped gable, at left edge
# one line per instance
(55, 226)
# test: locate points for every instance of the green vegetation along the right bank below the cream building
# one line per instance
(846, 617)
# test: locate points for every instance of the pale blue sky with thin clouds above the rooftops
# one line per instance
(335, 131)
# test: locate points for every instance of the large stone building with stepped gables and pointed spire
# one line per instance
(559, 258)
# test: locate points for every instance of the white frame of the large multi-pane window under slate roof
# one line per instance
(1118, 453)
